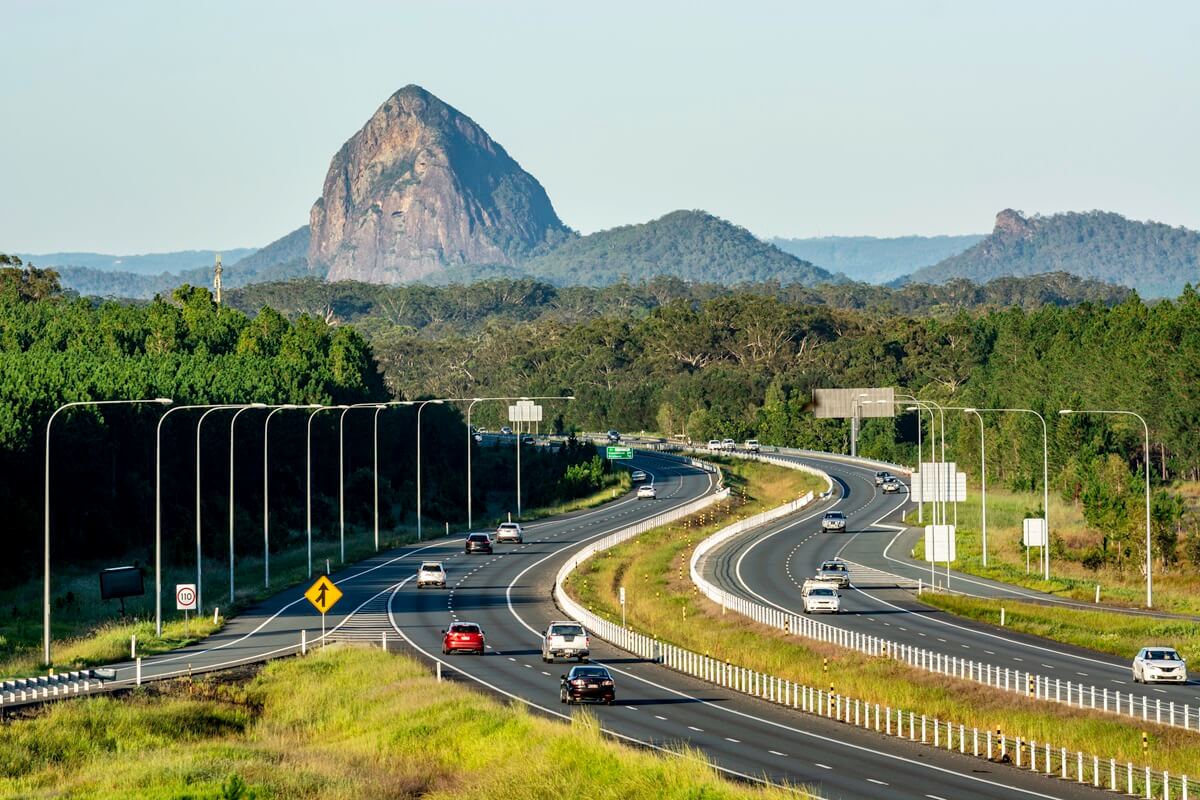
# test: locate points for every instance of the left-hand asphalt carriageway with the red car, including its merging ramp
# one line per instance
(509, 596)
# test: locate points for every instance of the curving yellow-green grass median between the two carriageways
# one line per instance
(662, 601)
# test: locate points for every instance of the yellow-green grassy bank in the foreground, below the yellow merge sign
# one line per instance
(343, 723)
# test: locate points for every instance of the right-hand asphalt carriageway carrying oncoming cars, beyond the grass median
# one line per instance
(771, 564)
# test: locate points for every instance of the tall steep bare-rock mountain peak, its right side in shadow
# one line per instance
(423, 188)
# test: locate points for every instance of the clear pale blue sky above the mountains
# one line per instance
(149, 127)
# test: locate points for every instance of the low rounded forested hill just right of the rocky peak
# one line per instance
(689, 245)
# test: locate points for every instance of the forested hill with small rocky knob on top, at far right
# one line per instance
(1155, 260)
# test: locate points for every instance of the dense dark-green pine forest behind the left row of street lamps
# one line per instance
(57, 350)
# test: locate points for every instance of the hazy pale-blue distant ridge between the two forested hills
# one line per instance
(875, 260)
